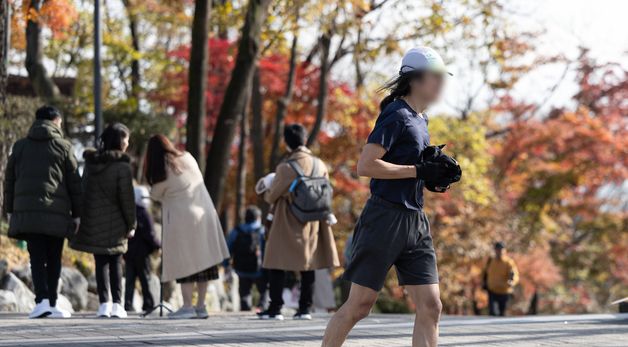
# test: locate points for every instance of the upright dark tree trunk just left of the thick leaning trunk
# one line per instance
(197, 80)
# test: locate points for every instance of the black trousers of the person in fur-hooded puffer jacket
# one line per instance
(109, 277)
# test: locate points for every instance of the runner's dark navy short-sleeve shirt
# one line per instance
(403, 133)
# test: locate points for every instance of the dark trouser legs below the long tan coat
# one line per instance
(276, 281)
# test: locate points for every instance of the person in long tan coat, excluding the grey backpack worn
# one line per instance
(292, 245)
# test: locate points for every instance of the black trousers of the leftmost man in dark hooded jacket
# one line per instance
(45, 253)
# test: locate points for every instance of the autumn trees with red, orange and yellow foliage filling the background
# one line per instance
(550, 182)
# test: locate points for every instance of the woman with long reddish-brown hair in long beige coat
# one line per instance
(193, 241)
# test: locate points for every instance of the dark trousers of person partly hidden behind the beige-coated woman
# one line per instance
(138, 268)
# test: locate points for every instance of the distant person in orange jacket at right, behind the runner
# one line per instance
(500, 278)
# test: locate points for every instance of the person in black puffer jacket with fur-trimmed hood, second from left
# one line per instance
(108, 214)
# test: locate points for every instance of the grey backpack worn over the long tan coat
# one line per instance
(310, 196)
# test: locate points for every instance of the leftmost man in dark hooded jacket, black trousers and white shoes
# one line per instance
(42, 193)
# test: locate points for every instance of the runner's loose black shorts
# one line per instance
(388, 234)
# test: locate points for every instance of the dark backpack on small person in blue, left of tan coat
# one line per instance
(247, 251)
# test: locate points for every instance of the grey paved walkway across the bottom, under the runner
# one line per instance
(377, 330)
